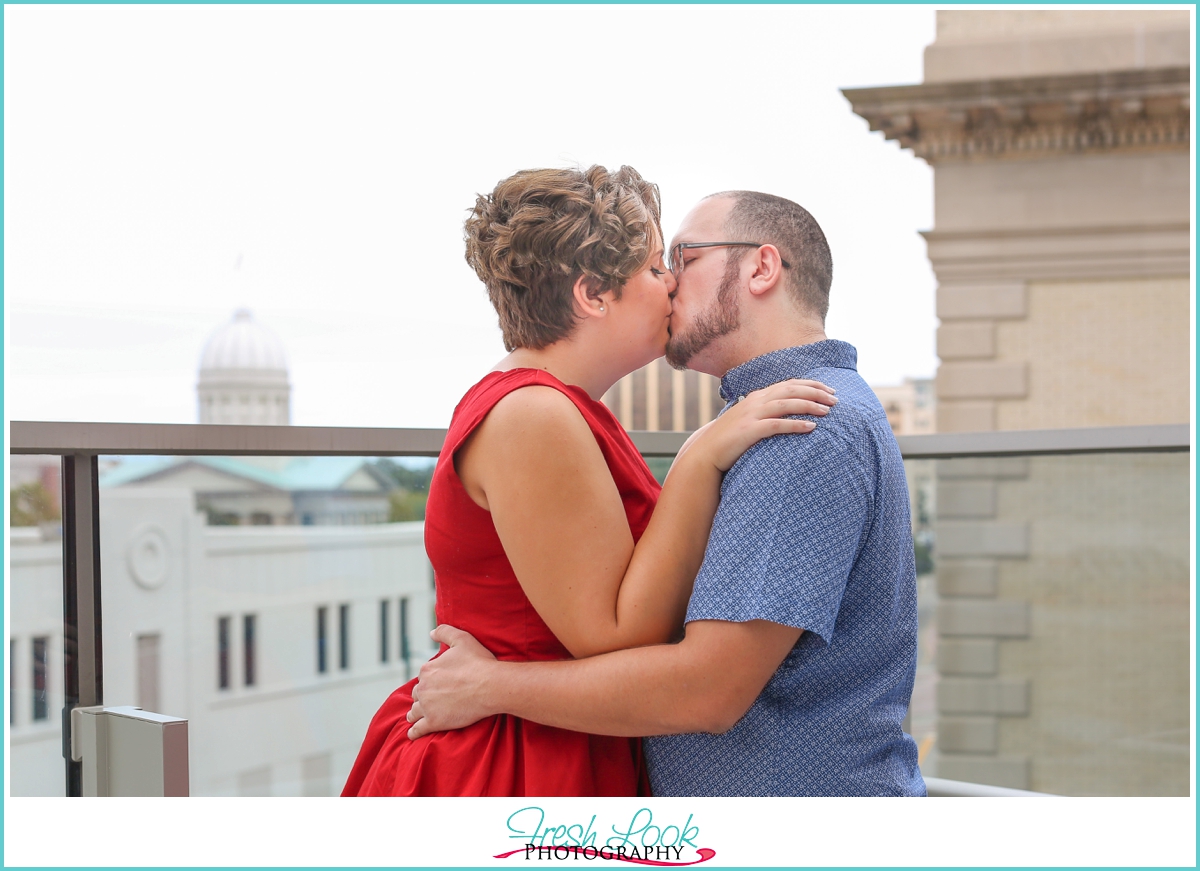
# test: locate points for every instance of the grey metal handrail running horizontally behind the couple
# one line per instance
(220, 440)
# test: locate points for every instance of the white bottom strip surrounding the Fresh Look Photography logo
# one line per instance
(807, 833)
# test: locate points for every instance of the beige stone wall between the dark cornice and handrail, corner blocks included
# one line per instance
(1063, 279)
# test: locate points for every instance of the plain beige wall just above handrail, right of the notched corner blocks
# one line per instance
(1101, 353)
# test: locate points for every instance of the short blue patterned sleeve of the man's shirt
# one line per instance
(793, 515)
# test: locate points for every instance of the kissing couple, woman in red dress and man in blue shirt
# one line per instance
(747, 629)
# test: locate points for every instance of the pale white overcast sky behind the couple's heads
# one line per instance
(333, 153)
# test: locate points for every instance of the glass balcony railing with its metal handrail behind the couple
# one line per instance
(271, 585)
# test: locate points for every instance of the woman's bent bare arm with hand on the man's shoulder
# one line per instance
(535, 464)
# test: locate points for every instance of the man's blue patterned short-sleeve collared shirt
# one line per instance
(813, 532)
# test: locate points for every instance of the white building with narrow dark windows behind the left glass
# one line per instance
(278, 644)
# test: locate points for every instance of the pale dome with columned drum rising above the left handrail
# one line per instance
(244, 376)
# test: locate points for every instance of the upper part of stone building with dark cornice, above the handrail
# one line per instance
(1060, 146)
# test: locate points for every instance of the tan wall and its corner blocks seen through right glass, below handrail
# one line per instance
(1064, 623)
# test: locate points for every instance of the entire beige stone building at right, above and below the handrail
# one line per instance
(1060, 142)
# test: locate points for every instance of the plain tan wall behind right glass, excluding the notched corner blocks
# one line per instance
(1107, 585)
